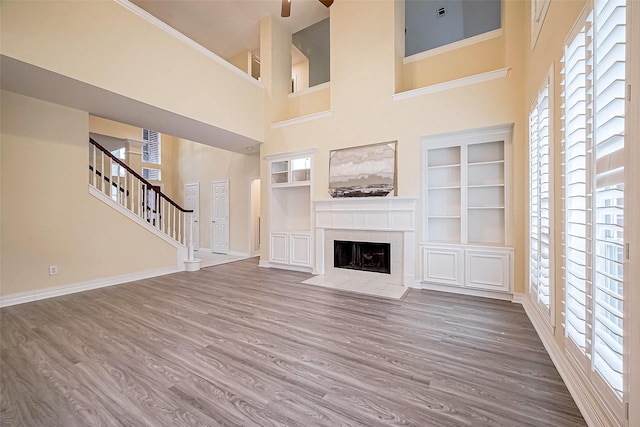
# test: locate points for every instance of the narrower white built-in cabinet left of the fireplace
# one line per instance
(290, 242)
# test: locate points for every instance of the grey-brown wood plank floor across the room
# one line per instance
(239, 345)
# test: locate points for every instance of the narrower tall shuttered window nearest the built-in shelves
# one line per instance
(540, 246)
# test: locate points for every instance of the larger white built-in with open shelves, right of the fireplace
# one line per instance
(466, 236)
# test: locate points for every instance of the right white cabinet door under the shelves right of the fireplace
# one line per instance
(488, 270)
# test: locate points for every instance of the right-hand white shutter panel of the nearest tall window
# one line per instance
(607, 49)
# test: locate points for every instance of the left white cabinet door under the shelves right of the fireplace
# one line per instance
(443, 266)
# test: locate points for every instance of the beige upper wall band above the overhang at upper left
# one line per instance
(103, 44)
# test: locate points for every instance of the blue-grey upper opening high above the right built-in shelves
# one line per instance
(431, 24)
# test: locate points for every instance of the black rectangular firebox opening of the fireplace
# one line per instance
(365, 256)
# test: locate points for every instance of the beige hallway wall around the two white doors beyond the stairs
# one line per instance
(199, 163)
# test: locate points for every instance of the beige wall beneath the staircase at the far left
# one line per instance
(49, 217)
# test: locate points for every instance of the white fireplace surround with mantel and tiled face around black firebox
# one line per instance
(370, 219)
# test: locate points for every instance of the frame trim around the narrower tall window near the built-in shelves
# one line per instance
(549, 317)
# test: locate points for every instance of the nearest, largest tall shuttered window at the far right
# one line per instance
(593, 145)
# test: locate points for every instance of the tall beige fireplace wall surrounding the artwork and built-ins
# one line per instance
(363, 70)
